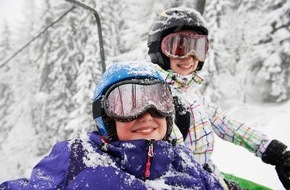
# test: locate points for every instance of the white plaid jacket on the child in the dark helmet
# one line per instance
(207, 119)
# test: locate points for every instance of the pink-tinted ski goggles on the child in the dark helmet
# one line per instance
(181, 45)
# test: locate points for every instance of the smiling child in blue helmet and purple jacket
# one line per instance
(133, 111)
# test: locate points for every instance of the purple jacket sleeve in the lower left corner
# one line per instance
(49, 173)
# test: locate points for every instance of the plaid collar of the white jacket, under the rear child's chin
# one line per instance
(180, 81)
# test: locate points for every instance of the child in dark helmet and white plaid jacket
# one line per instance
(178, 46)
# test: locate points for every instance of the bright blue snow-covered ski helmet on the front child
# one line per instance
(117, 72)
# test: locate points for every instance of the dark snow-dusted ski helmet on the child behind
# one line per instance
(170, 21)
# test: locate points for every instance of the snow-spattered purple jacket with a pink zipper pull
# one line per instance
(92, 163)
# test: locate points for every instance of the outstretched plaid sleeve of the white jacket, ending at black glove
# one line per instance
(236, 132)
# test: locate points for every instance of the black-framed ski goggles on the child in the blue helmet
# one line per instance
(127, 100)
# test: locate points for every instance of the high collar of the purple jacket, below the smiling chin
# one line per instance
(132, 156)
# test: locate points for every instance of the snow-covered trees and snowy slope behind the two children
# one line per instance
(49, 64)
